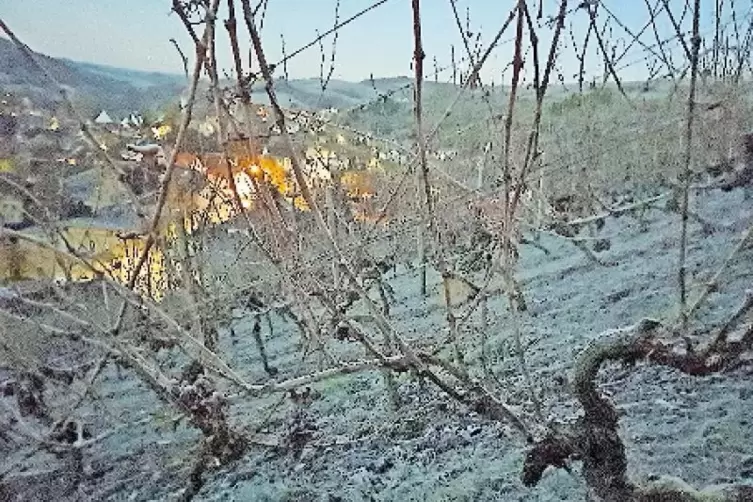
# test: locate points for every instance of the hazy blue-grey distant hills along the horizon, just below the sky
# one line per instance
(121, 91)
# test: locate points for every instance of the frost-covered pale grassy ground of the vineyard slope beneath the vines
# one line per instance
(432, 449)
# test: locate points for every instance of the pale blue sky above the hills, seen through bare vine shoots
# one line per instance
(136, 33)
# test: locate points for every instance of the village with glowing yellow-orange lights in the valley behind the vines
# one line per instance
(45, 161)
